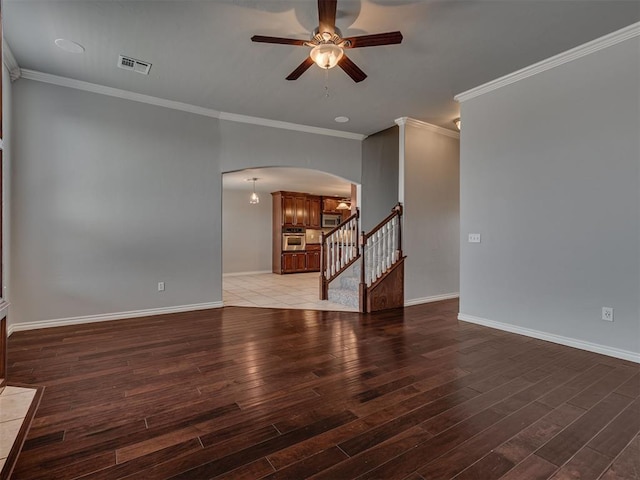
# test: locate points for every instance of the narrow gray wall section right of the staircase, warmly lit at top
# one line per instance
(431, 214)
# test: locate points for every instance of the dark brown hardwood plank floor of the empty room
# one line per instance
(267, 393)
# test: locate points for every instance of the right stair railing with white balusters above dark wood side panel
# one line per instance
(381, 249)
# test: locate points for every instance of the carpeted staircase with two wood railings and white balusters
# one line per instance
(364, 270)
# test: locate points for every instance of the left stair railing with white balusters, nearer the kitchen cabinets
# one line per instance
(340, 249)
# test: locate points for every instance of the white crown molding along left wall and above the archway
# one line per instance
(185, 107)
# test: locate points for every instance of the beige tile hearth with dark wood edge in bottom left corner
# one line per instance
(14, 405)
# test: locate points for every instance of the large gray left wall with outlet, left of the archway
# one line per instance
(110, 197)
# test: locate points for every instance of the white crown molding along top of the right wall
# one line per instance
(578, 52)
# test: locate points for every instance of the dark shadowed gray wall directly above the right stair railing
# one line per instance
(379, 176)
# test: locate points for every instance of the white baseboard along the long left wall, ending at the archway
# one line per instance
(61, 322)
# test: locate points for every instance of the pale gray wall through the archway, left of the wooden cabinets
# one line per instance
(246, 232)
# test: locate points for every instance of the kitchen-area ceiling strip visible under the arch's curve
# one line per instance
(275, 179)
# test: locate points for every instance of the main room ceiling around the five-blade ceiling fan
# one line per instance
(202, 54)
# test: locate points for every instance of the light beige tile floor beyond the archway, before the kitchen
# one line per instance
(298, 290)
